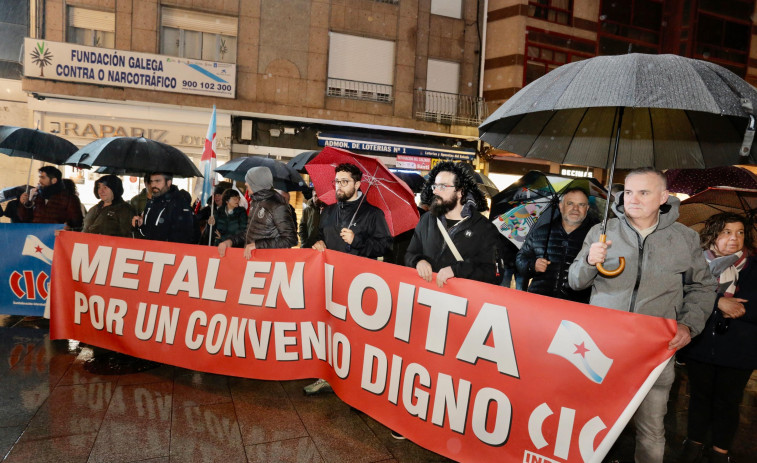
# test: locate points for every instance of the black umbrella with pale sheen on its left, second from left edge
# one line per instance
(135, 155)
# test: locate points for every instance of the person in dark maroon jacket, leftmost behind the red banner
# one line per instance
(51, 202)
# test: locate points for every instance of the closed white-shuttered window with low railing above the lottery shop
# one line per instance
(360, 68)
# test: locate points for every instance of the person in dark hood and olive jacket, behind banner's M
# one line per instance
(112, 215)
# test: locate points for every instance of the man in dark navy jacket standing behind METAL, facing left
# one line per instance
(168, 215)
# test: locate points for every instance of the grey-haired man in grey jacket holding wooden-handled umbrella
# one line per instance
(665, 276)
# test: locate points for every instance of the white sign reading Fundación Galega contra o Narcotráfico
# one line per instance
(71, 62)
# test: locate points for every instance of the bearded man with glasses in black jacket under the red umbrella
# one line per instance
(352, 225)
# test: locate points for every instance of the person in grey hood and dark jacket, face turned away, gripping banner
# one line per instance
(269, 225)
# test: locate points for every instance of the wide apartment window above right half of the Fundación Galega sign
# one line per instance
(194, 35)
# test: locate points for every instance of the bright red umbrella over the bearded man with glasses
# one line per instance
(381, 187)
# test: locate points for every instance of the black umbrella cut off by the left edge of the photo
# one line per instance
(34, 144)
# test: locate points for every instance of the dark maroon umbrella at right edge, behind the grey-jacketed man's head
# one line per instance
(691, 181)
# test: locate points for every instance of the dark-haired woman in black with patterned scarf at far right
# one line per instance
(721, 359)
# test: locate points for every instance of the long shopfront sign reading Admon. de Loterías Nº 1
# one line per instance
(384, 146)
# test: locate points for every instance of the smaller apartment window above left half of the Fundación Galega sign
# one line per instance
(92, 28)
